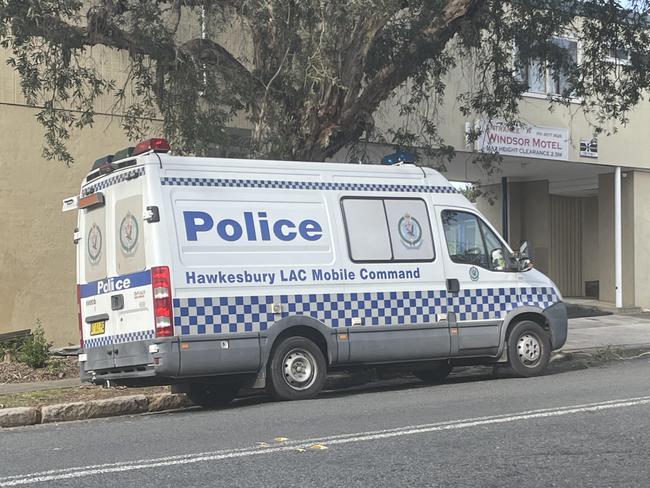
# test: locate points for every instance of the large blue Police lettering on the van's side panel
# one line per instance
(232, 230)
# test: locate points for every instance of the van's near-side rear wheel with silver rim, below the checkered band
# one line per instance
(297, 369)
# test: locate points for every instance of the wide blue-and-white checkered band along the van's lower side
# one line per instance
(254, 313)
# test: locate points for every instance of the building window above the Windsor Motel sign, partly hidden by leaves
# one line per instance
(541, 78)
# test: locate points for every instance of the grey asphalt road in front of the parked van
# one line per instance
(584, 428)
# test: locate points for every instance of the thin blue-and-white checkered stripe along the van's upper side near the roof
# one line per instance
(304, 185)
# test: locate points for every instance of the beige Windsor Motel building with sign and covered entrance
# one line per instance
(581, 200)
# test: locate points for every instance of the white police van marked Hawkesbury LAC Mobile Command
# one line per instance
(212, 274)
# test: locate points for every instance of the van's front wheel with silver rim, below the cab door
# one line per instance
(529, 348)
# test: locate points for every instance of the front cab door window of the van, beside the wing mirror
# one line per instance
(471, 241)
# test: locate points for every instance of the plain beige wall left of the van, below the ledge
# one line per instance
(37, 256)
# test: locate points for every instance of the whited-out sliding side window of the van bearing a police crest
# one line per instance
(388, 229)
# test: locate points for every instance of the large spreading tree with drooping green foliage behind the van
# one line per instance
(310, 74)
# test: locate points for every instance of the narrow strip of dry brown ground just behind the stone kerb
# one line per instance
(68, 395)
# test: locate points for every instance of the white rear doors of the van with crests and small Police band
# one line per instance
(117, 301)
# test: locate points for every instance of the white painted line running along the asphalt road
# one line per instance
(100, 469)
